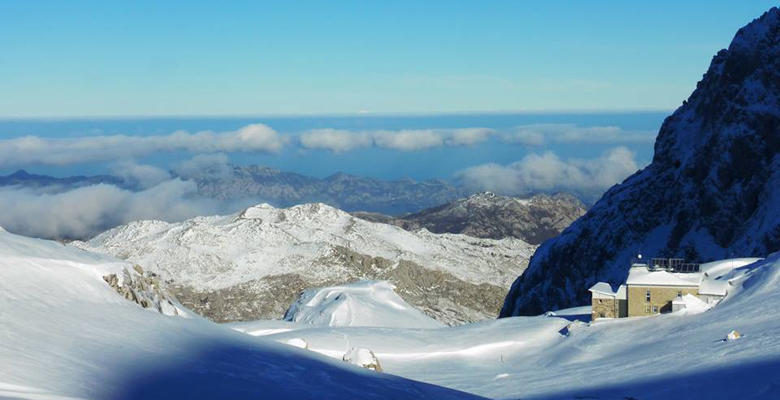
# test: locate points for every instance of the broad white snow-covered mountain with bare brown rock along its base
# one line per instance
(253, 264)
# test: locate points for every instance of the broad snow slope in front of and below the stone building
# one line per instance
(550, 357)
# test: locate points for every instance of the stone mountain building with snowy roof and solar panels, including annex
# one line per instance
(659, 287)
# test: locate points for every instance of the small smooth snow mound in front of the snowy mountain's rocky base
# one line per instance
(365, 303)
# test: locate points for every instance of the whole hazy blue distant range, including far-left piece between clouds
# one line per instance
(257, 184)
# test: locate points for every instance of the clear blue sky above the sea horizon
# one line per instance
(147, 58)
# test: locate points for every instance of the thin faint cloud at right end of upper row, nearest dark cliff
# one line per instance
(538, 134)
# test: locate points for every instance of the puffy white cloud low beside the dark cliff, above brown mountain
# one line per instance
(587, 178)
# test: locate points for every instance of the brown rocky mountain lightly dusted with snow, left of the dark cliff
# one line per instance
(488, 215)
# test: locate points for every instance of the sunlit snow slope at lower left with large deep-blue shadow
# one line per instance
(64, 333)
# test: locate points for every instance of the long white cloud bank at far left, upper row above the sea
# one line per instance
(35, 150)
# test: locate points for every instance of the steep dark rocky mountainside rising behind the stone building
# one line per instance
(711, 192)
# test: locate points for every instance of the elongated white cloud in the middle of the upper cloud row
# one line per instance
(340, 141)
